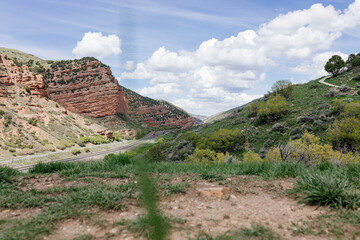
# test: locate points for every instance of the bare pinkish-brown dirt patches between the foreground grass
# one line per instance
(213, 207)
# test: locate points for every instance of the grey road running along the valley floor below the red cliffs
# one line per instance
(90, 155)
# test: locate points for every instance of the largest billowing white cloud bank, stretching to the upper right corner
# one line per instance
(219, 71)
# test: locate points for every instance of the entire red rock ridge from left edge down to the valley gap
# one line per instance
(87, 87)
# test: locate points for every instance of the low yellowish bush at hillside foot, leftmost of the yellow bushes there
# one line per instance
(206, 156)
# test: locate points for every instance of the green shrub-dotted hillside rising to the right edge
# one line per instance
(311, 107)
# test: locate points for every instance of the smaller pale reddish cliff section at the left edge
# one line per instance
(12, 74)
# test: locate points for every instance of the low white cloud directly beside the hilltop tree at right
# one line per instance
(315, 67)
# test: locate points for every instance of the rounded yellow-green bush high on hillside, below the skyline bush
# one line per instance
(273, 109)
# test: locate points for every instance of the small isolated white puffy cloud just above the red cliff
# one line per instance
(94, 44)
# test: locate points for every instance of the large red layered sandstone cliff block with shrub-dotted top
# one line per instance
(86, 87)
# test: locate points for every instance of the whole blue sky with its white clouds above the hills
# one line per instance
(204, 56)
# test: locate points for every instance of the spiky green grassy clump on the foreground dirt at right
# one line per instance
(327, 189)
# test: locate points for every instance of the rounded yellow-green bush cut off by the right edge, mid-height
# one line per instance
(345, 134)
